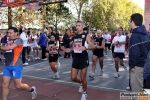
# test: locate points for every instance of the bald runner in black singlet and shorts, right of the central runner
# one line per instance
(99, 44)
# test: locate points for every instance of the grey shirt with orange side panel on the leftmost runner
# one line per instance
(12, 57)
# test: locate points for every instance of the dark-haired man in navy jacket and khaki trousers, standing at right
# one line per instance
(138, 51)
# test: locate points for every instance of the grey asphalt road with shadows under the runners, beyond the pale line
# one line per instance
(40, 70)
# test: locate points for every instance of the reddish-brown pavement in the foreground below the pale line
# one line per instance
(56, 91)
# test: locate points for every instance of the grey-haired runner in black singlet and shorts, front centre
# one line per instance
(81, 61)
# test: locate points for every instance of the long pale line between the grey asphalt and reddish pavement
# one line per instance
(62, 81)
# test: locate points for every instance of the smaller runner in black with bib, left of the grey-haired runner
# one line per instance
(52, 47)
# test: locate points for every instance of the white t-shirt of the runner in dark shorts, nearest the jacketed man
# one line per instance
(121, 47)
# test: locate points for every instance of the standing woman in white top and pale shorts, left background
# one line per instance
(34, 45)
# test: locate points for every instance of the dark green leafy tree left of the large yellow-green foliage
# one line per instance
(57, 14)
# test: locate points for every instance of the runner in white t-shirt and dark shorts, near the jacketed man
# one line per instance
(119, 42)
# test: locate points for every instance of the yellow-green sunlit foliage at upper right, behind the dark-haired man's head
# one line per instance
(110, 14)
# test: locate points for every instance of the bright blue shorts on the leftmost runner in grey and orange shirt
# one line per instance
(13, 71)
